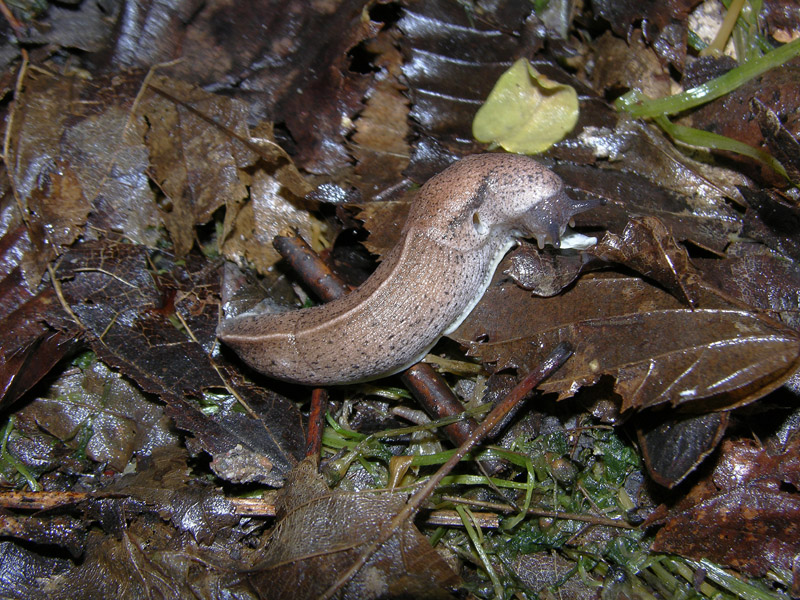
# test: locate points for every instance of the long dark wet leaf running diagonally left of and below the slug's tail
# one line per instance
(159, 330)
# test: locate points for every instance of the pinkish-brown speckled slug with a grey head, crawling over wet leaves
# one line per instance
(460, 225)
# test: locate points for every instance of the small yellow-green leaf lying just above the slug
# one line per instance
(526, 112)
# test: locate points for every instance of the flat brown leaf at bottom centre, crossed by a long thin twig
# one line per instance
(320, 533)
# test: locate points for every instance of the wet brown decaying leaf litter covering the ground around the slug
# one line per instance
(143, 449)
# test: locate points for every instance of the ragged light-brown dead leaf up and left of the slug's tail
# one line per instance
(201, 152)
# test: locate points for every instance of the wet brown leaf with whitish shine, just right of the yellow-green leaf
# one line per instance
(643, 174)
